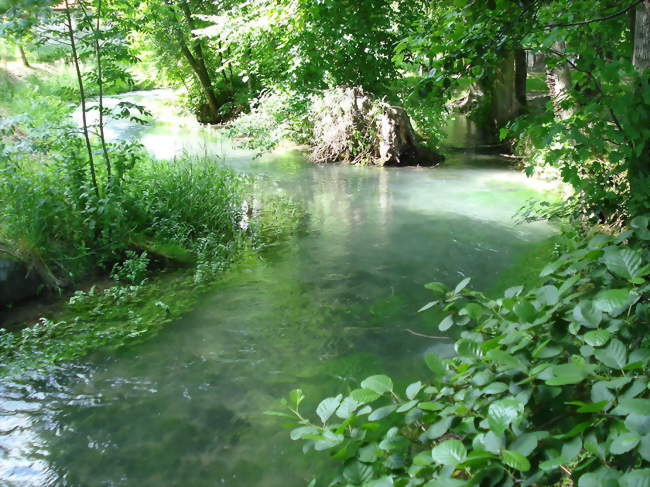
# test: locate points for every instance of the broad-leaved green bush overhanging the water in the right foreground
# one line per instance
(548, 386)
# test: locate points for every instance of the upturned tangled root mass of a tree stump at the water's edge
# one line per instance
(352, 127)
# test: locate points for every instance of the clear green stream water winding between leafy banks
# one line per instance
(322, 313)
